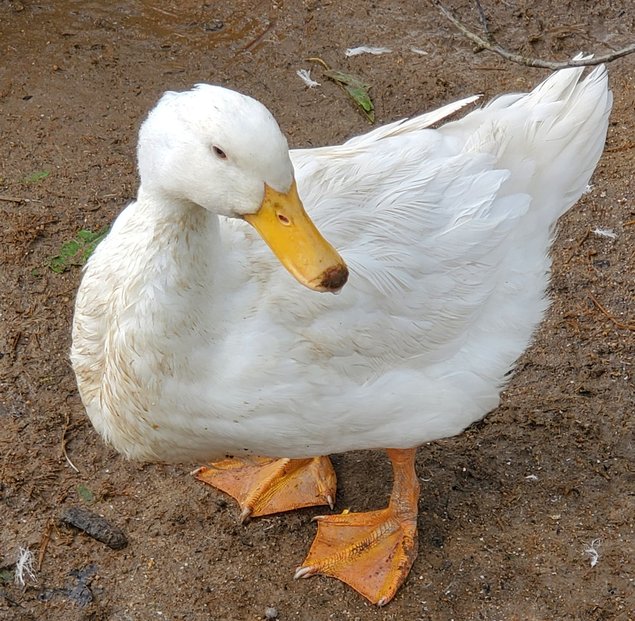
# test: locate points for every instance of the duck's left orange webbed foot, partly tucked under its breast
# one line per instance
(263, 485)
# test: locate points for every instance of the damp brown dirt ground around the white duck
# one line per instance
(509, 510)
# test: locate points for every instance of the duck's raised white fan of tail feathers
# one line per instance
(549, 139)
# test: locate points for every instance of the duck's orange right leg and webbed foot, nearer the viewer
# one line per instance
(371, 552)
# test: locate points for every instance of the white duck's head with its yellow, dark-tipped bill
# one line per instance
(225, 152)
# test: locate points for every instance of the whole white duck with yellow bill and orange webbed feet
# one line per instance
(190, 342)
